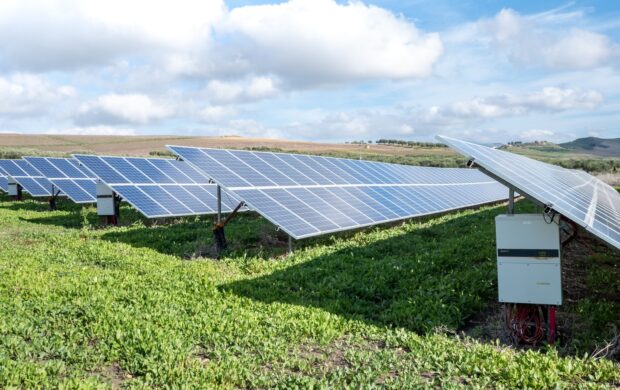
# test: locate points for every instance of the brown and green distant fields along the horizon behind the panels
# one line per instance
(16, 145)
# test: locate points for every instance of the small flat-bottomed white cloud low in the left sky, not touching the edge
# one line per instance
(128, 108)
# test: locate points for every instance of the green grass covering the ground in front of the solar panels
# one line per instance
(83, 306)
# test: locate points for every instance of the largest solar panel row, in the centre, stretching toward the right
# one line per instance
(310, 195)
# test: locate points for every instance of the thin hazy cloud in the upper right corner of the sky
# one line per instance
(527, 41)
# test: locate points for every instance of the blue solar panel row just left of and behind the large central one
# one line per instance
(158, 187)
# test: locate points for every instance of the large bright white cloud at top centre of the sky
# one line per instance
(323, 41)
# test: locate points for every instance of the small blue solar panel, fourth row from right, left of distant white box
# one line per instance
(67, 176)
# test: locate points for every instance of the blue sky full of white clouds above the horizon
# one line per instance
(317, 70)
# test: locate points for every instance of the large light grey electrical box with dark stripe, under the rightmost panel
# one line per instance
(528, 259)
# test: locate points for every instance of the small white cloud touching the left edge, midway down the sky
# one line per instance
(26, 93)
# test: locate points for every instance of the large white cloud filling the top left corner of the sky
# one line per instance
(66, 34)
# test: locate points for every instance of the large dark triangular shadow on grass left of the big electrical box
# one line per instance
(437, 275)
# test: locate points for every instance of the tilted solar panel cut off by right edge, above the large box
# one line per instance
(576, 195)
